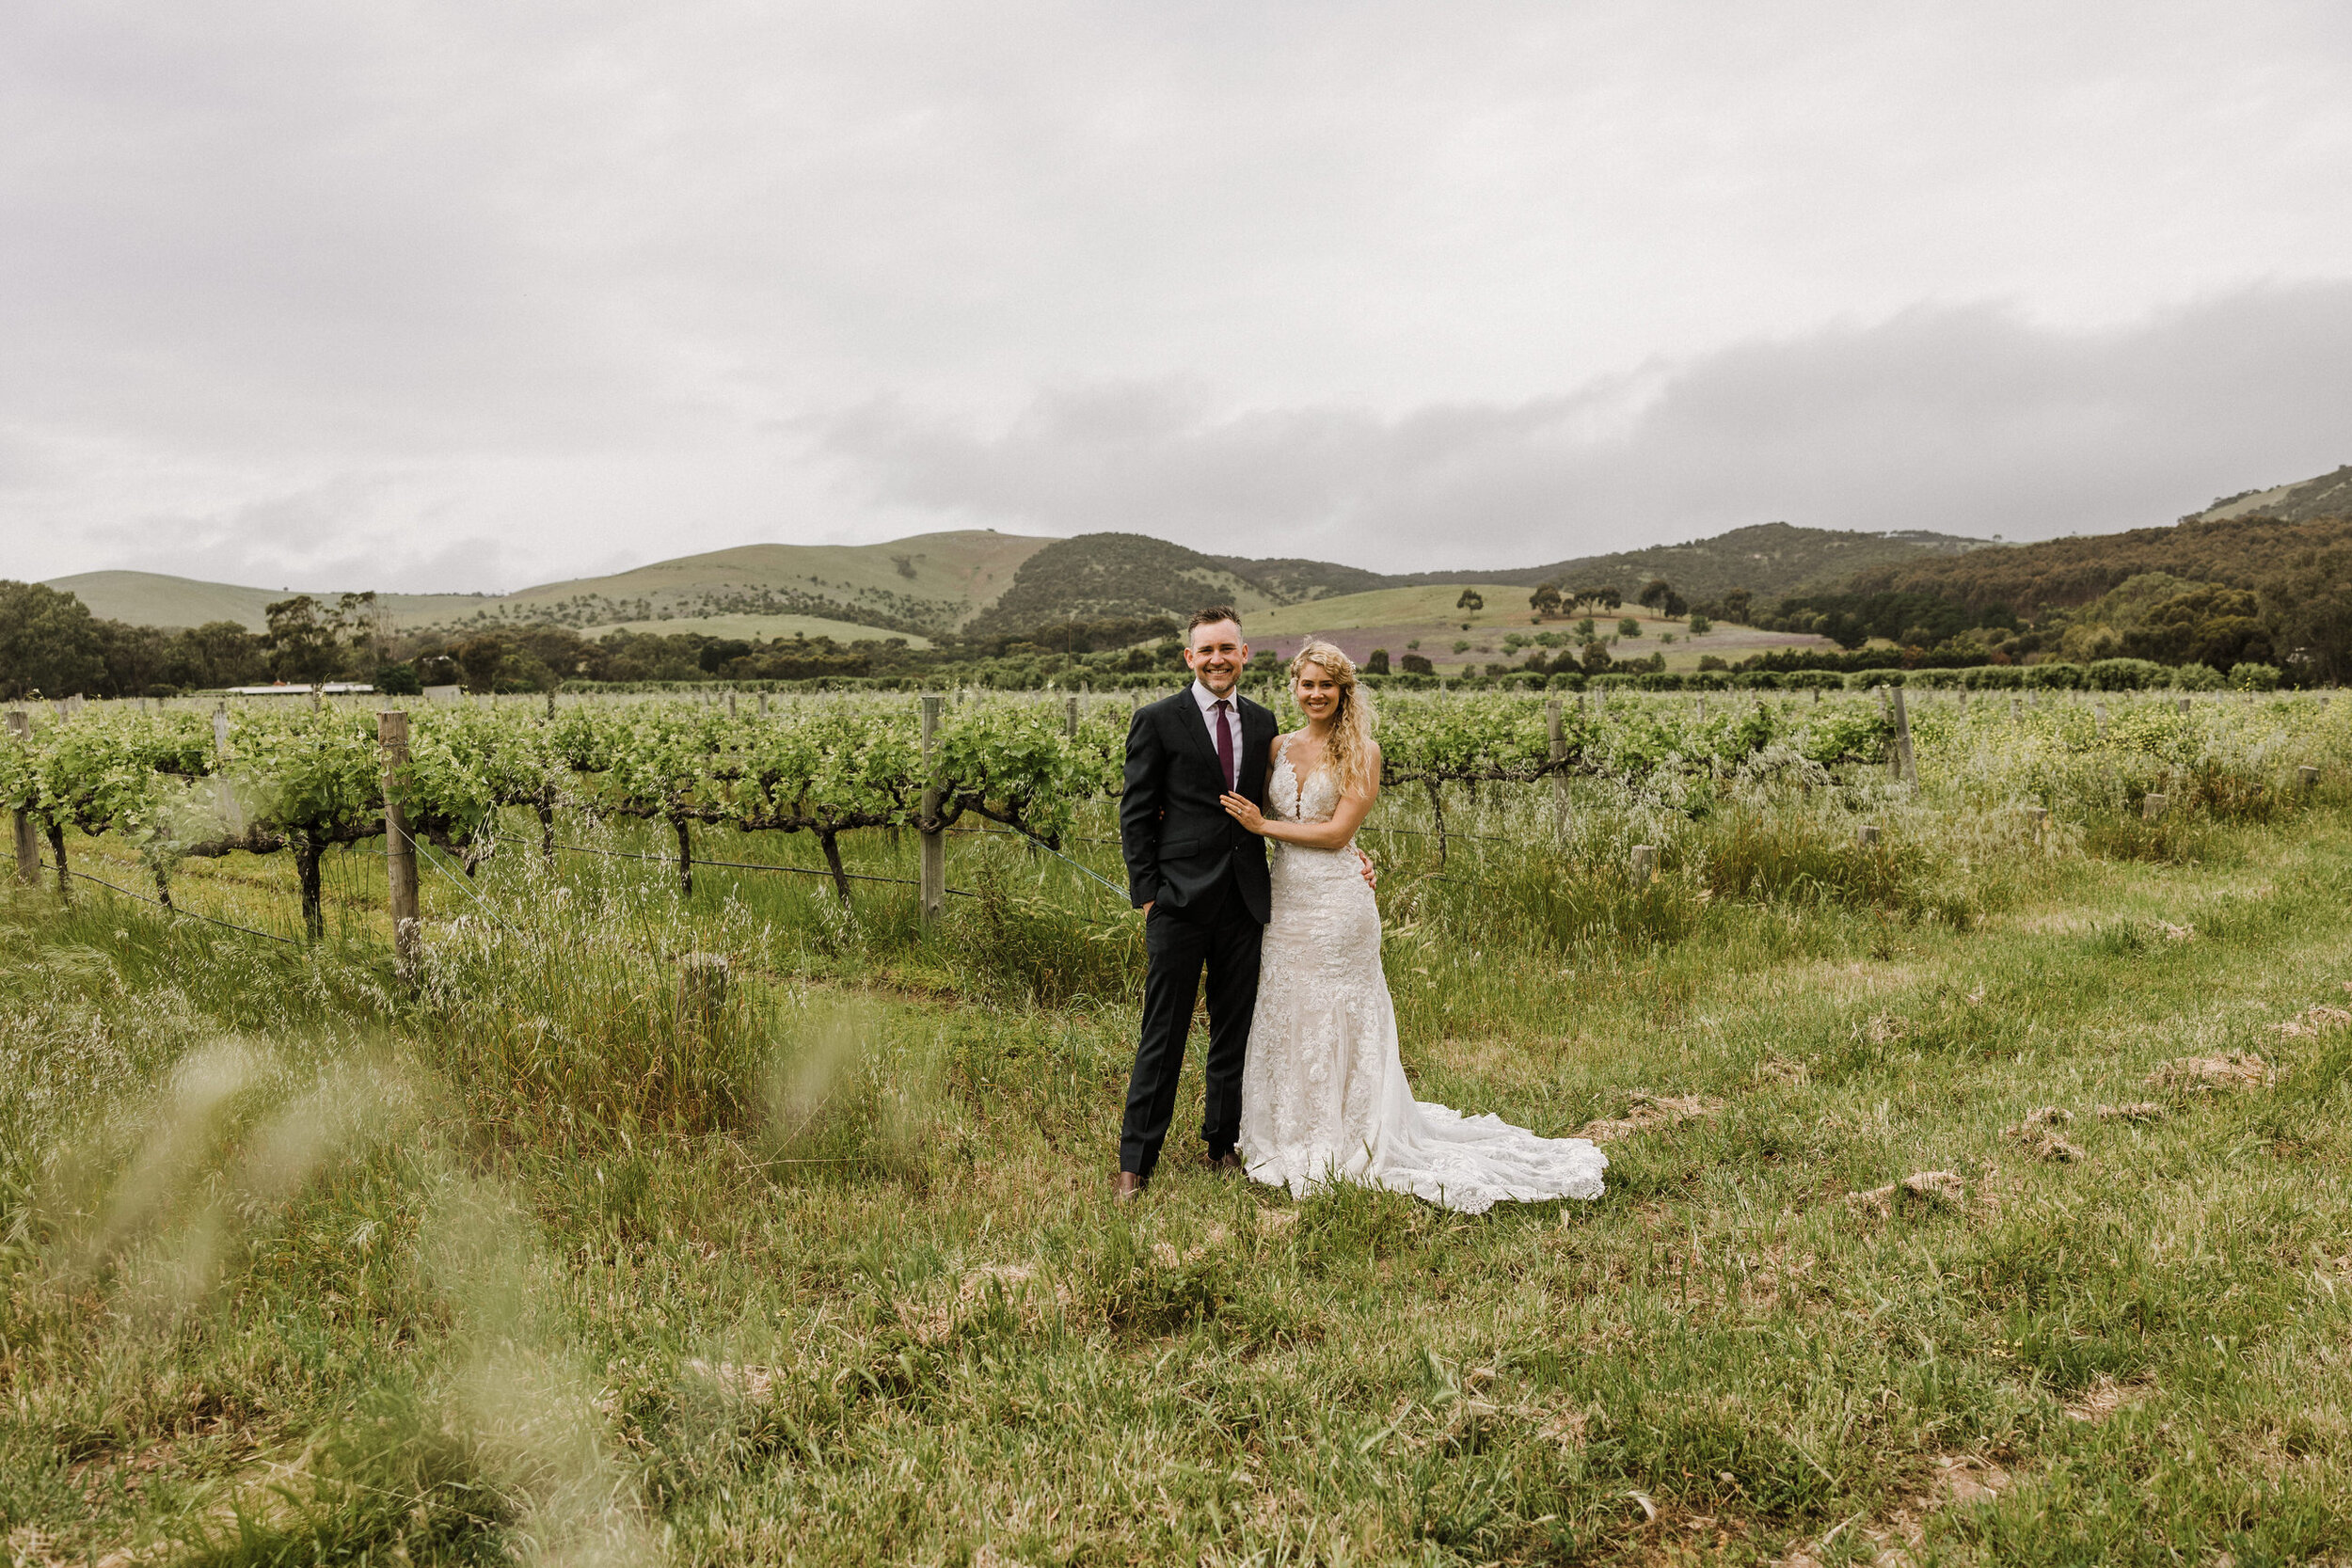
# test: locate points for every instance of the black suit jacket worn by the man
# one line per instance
(1180, 843)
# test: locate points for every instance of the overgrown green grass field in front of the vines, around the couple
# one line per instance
(568, 1259)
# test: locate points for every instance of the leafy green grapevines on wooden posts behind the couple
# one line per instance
(178, 784)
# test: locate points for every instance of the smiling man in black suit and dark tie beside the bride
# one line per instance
(1201, 883)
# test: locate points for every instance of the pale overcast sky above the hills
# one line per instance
(450, 295)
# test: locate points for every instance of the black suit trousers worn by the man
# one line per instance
(1217, 934)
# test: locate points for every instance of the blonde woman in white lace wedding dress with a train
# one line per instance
(1323, 1085)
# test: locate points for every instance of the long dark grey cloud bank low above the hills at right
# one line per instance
(1956, 420)
